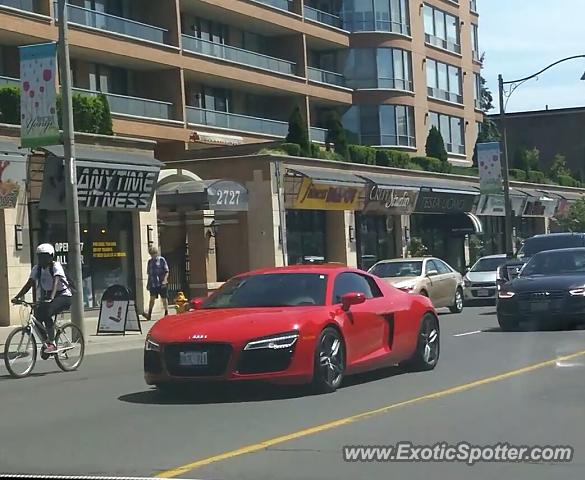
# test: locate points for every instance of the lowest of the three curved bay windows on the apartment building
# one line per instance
(382, 125)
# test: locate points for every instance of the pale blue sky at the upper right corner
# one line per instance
(521, 37)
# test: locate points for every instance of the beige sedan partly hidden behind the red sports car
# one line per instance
(427, 276)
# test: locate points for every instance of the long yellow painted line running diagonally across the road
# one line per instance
(175, 472)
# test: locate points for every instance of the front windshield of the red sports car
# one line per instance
(270, 290)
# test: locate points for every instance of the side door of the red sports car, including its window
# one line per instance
(364, 325)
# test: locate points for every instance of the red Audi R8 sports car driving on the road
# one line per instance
(294, 325)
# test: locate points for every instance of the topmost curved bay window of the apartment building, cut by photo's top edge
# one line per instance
(376, 15)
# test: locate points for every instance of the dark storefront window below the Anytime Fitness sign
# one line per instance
(107, 248)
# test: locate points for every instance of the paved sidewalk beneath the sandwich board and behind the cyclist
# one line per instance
(102, 343)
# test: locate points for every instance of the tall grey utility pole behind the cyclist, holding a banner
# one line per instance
(71, 202)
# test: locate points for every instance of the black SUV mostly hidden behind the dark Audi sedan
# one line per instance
(539, 243)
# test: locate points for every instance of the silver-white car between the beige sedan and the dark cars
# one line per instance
(479, 283)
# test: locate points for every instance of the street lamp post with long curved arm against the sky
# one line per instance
(508, 225)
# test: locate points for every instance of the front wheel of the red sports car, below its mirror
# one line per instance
(329, 361)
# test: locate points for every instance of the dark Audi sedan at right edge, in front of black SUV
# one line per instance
(550, 289)
